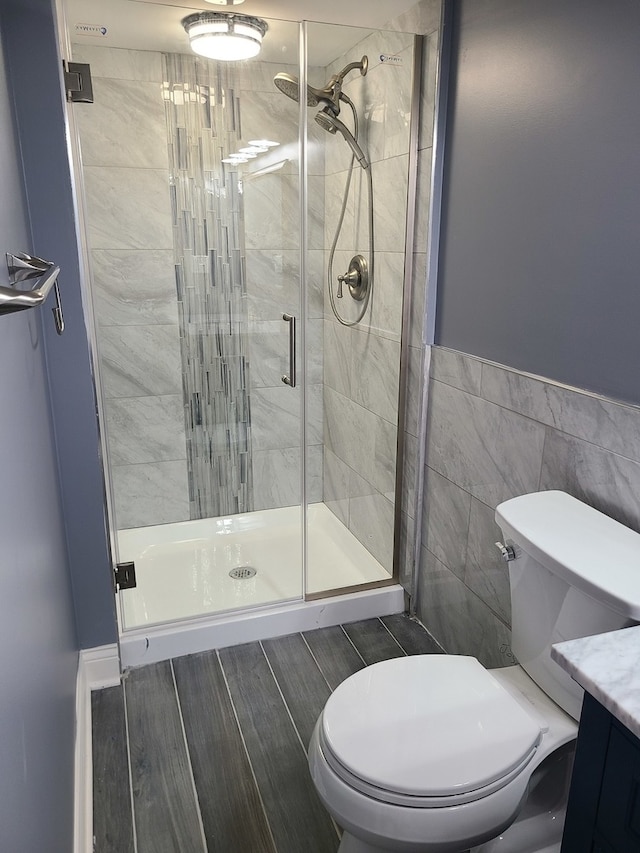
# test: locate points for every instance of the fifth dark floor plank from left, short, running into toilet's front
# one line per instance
(302, 684)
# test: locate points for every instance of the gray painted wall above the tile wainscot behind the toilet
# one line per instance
(540, 251)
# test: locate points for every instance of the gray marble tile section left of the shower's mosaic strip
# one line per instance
(126, 171)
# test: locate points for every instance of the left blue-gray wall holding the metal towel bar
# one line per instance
(38, 655)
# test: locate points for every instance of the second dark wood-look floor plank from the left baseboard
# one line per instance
(165, 809)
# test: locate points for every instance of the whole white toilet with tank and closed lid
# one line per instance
(436, 754)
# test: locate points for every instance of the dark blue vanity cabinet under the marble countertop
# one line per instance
(603, 814)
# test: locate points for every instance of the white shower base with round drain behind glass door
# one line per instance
(186, 602)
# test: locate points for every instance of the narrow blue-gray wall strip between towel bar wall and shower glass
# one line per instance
(41, 126)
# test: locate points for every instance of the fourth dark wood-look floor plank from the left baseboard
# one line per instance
(297, 819)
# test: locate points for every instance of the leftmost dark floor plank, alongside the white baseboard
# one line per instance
(112, 821)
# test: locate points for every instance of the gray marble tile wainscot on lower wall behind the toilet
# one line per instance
(495, 433)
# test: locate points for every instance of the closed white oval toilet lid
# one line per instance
(427, 726)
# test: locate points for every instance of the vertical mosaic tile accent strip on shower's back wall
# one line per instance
(203, 126)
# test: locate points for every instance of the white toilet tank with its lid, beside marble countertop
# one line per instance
(576, 573)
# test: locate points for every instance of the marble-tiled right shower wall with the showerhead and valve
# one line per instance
(361, 364)
